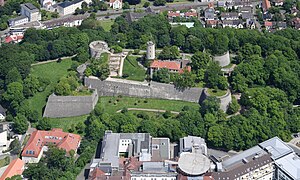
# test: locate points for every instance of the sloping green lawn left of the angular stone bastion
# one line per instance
(53, 71)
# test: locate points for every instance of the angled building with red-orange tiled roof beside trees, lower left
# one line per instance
(39, 140)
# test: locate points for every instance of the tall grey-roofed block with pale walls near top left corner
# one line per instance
(30, 11)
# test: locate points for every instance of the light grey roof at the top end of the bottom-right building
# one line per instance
(276, 147)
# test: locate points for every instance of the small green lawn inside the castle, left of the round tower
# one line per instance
(133, 70)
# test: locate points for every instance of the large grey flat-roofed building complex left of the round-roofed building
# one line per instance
(135, 156)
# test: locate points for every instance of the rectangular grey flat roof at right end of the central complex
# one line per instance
(160, 149)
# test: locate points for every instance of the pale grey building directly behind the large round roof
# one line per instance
(186, 144)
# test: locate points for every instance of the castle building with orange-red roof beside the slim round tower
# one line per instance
(172, 66)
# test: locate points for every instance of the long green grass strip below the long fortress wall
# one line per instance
(113, 104)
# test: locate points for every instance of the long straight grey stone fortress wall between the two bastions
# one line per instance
(113, 87)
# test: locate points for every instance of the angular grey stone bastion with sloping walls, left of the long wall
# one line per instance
(70, 106)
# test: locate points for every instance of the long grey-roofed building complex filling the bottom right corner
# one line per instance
(271, 159)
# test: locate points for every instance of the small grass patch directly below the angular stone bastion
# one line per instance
(66, 123)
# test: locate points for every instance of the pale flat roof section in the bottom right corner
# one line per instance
(290, 164)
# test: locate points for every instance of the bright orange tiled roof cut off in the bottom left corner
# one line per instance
(16, 167)
